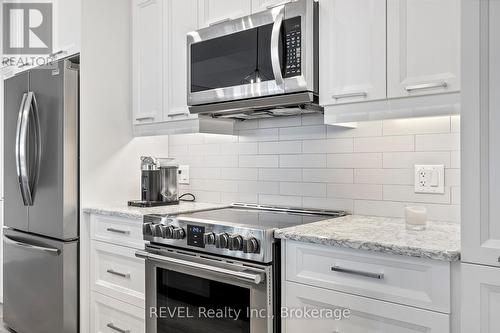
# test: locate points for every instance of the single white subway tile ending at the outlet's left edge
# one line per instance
(384, 176)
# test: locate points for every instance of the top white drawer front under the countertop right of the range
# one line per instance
(411, 281)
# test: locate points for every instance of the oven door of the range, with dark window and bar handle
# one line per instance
(188, 293)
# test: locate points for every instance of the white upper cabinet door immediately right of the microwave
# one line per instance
(352, 51)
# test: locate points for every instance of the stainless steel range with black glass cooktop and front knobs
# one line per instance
(217, 270)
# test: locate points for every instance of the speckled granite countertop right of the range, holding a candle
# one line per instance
(440, 240)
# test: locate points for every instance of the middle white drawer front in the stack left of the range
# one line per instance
(116, 272)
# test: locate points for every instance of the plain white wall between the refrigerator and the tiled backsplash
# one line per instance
(109, 154)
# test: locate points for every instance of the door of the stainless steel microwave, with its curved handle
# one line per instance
(237, 59)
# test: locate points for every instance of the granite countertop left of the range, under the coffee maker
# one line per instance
(137, 212)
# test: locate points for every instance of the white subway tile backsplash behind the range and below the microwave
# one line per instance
(301, 162)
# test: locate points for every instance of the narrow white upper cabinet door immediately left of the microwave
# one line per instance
(179, 20)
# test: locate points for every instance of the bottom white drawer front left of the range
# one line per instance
(112, 316)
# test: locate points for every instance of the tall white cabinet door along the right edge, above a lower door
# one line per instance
(481, 133)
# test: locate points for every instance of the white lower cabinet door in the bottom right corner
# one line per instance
(481, 298)
